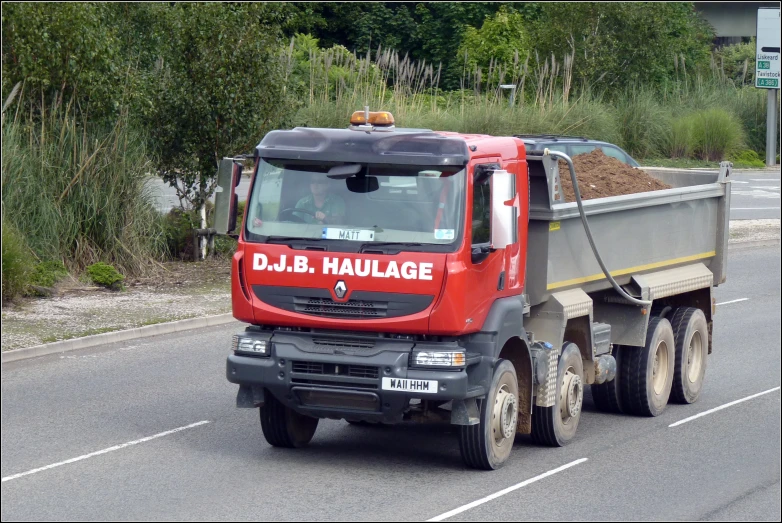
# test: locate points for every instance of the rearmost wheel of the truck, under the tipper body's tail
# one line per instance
(691, 334)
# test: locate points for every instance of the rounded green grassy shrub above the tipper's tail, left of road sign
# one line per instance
(716, 134)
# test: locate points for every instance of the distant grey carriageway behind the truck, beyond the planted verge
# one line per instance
(755, 195)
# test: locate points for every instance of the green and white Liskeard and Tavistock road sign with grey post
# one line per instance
(767, 69)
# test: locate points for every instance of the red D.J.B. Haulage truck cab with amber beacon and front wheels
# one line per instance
(382, 273)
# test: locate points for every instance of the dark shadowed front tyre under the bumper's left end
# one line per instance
(284, 427)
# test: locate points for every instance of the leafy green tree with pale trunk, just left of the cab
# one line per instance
(218, 90)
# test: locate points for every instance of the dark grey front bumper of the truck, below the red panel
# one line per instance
(314, 375)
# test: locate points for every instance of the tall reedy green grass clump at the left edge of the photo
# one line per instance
(76, 191)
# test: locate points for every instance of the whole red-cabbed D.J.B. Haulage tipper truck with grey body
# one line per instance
(394, 275)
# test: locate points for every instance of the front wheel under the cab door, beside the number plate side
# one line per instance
(487, 445)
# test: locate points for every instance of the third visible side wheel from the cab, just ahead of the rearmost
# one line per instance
(647, 372)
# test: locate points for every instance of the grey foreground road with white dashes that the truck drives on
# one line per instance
(722, 466)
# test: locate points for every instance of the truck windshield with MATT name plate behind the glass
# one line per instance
(356, 203)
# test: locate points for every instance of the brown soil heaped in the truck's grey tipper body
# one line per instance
(600, 176)
